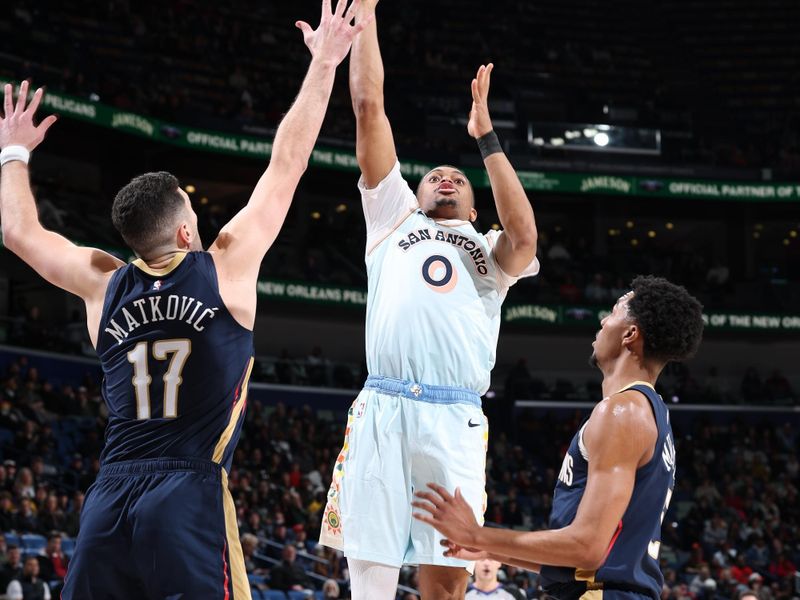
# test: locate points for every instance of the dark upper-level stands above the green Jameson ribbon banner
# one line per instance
(588, 65)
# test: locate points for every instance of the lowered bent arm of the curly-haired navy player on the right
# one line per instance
(620, 435)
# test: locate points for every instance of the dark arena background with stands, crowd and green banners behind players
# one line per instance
(657, 137)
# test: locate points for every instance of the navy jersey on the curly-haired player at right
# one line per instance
(631, 562)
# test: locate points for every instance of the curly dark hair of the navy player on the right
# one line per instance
(670, 318)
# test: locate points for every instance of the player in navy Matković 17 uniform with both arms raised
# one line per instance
(173, 331)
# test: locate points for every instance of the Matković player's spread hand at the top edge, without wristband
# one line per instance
(331, 41)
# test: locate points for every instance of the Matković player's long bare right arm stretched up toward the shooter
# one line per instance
(242, 243)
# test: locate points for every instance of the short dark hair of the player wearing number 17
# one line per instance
(145, 210)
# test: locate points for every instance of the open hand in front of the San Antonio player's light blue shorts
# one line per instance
(451, 515)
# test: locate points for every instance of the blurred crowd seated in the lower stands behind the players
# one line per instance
(733, 525)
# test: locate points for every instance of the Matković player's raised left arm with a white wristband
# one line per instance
(81, 271)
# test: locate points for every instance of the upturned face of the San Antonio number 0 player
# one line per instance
(445, 193)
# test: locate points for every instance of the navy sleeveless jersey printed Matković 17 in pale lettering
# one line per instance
(175, 362)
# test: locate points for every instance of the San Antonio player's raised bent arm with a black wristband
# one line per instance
(516, 246)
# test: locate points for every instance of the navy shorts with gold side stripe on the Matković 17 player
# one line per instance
(158, 529)
